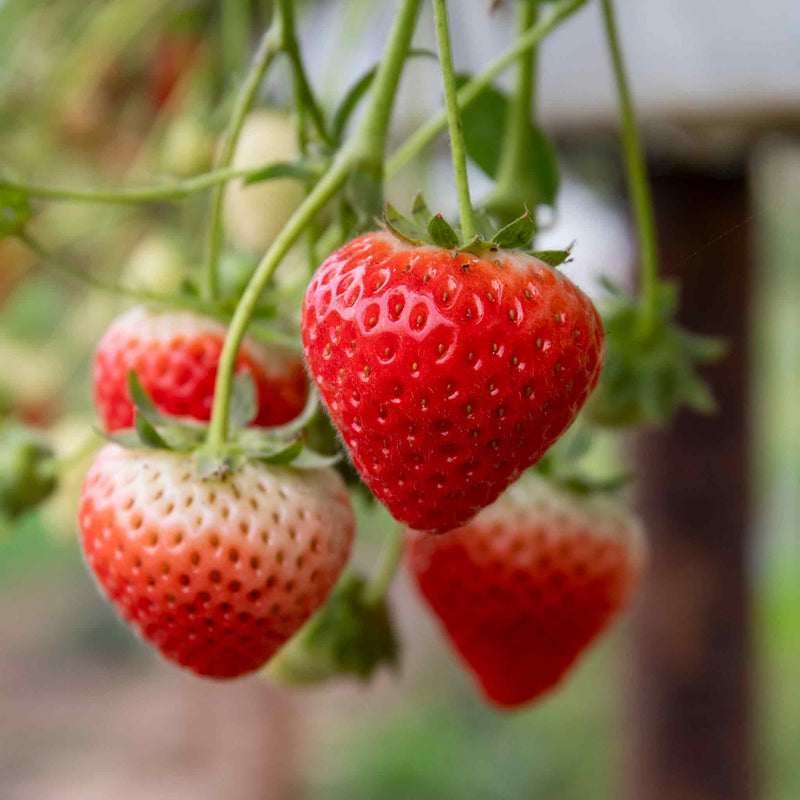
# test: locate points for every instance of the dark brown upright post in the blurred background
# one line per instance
(690, 690)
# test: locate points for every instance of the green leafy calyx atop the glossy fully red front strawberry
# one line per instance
(425, 228)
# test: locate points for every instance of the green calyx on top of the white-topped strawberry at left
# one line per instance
(283, 445)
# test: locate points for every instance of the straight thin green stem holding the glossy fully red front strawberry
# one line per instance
(457, 147)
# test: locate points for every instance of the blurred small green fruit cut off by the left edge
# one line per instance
(26, 470)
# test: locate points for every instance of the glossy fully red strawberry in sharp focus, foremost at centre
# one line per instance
(447, 374)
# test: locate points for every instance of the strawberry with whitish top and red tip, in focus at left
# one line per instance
(217, 573)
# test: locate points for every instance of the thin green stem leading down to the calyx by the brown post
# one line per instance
(636, 172)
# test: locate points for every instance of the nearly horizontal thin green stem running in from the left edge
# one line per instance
(133, 195)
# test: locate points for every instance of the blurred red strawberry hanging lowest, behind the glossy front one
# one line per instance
(528, 584)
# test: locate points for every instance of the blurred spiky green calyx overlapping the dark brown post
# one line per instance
(650, 371)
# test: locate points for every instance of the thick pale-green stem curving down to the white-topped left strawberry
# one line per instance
(366, 147)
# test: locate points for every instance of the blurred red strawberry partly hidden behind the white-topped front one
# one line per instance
(175, 356)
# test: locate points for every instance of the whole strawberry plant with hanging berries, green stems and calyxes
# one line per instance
(434, 366)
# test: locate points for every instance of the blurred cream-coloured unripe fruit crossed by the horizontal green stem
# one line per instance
(254, 215)
